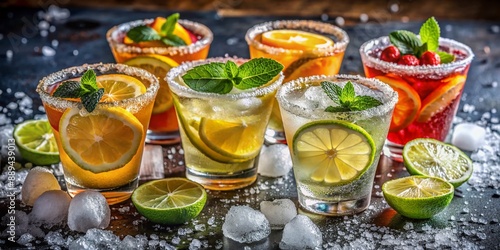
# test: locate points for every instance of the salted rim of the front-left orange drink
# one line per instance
(132, 104)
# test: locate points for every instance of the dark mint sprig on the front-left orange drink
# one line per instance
(86, 89)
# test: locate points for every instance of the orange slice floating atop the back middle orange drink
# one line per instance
(295, 39)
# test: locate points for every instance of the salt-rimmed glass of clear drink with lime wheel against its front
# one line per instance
(334, 154)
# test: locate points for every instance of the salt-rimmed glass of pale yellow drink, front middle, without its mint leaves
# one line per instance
(222, 134)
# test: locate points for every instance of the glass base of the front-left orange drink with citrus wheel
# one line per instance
(113, 195)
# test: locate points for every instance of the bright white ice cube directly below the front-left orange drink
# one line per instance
(88, 209)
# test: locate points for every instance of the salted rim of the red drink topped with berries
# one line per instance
(429, 71)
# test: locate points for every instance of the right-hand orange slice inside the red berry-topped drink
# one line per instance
(441, 98)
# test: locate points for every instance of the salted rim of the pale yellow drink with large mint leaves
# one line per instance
(174, 75)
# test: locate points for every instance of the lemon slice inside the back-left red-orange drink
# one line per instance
(159, 66)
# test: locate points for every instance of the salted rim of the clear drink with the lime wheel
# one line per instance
(390, 97)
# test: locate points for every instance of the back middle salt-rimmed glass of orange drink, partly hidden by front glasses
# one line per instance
(304, 47)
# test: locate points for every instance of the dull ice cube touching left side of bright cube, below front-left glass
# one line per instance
(50, 208)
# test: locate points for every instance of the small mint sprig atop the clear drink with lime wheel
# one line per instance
(346, 98)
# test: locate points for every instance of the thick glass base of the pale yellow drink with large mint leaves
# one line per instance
(229, 181)
